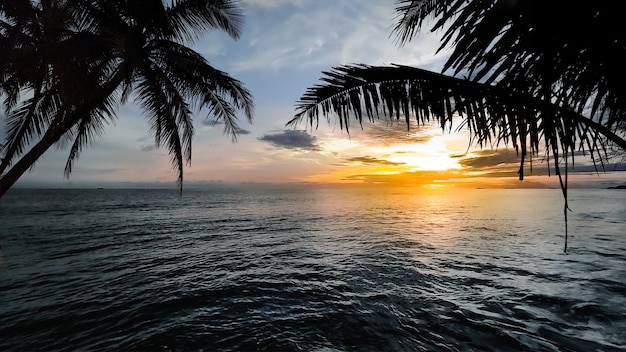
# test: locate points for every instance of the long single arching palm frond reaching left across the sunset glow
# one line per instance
(493, 115)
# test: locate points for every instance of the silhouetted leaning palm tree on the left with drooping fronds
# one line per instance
(67, 65)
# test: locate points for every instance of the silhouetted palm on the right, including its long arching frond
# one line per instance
(539, 78)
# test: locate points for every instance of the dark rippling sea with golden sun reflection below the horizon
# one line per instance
(304, 269)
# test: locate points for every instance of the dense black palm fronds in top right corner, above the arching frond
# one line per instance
(577, 55)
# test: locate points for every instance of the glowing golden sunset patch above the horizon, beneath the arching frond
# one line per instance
(427, 158)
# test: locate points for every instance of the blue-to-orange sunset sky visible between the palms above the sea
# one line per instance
(284, 47)
